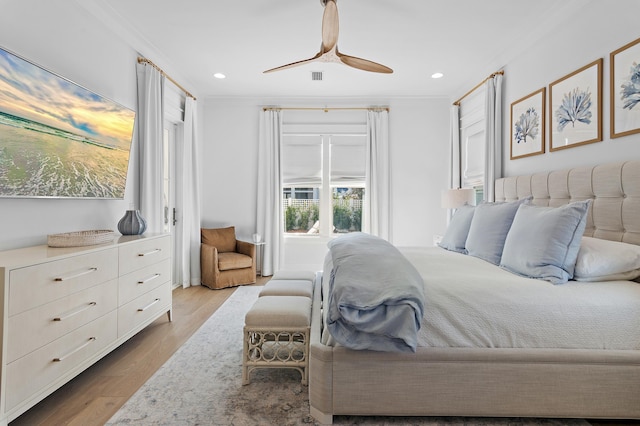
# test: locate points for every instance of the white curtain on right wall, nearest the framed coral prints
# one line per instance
(493, 147)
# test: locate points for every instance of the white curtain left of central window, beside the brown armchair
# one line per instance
(269, 213)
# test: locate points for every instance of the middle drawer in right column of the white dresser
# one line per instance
(143, 280)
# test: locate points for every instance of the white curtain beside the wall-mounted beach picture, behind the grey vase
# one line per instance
(150, 154)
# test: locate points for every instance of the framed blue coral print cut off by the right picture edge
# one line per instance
(625, 90)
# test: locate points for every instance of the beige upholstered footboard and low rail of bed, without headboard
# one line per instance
(472, 382)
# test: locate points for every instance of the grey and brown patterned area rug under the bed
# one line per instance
(201, 384)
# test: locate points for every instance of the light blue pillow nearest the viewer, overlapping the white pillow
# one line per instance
(543, 242)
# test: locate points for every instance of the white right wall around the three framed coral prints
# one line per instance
(593, 32)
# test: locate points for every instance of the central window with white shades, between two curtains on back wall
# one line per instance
(323, 183)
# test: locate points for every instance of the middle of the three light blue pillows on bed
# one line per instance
(489, 228)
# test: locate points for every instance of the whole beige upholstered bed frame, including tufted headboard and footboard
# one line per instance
(494, 382)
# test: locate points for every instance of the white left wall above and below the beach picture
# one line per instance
(61, 37)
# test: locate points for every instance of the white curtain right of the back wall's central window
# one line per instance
(376, 212)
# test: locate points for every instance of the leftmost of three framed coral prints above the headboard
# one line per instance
(527, 125)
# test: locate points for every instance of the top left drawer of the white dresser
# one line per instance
(42, 283)
